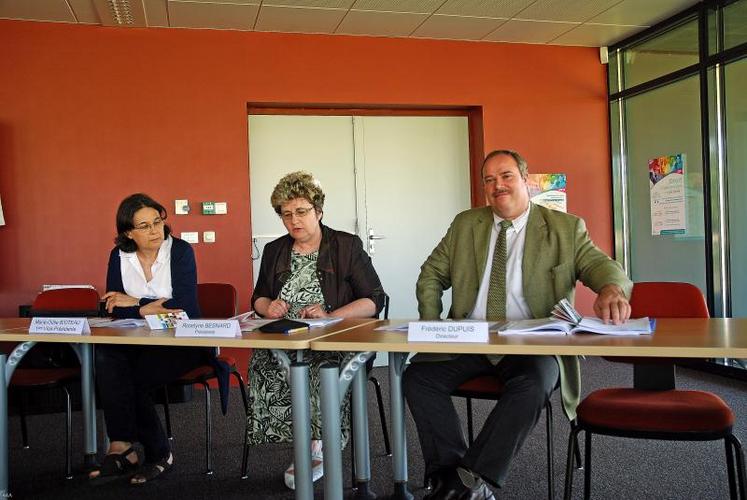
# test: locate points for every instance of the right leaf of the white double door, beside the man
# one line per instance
(416, 171)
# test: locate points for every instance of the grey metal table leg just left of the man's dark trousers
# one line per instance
(397, 410)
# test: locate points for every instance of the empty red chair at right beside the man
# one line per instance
(653, 408)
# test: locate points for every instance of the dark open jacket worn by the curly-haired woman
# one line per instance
(344, 269)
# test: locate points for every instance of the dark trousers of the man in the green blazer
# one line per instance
(529, 382)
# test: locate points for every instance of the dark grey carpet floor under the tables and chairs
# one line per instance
(623, 468)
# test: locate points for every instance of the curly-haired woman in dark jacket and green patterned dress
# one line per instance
(312, 272)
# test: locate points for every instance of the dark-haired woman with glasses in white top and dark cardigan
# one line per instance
(150, 272)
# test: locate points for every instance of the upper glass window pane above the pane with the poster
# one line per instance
(672, 50)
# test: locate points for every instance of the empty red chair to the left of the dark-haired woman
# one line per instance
(59, 303)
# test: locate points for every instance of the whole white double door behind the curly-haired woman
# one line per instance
(404, 178)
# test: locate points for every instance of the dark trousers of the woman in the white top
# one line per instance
(126, 375)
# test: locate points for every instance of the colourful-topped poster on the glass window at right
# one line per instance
(666, 176)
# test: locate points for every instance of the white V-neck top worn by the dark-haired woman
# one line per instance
(133, 277)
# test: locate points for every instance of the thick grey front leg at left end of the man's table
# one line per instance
(330, 406)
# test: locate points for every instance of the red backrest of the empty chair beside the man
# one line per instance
(658, 299)
